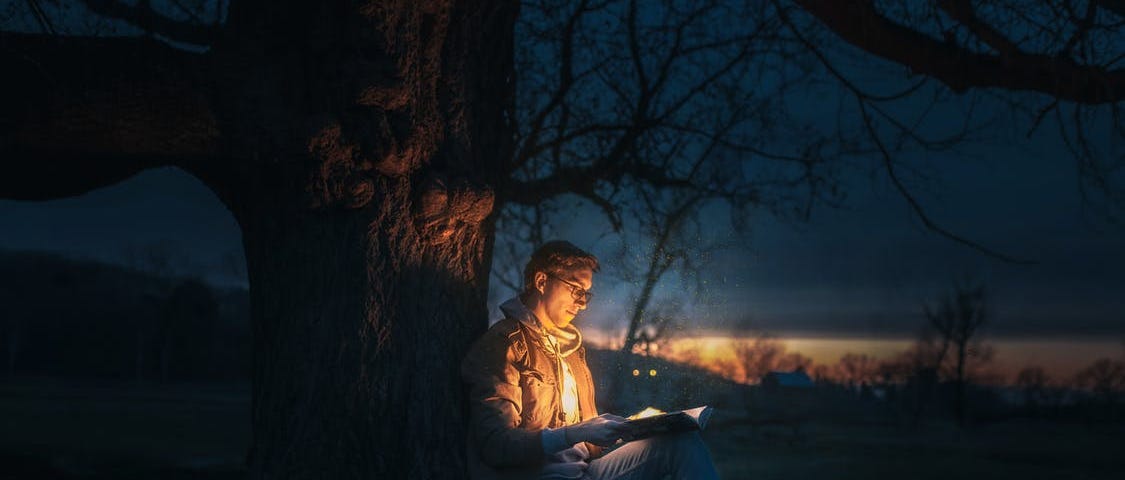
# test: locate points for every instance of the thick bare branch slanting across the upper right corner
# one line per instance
(859, 23)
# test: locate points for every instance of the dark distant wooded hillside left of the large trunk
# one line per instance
(65, 318)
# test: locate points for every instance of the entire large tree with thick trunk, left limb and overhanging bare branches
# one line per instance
(365, 148)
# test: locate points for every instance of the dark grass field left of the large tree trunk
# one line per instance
(53, 430)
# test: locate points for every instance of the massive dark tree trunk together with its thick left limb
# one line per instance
(359, 146)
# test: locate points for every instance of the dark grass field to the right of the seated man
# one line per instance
(843, 451)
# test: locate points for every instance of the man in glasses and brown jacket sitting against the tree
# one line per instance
(532, 395)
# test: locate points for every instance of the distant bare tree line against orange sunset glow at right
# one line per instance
(946, 374)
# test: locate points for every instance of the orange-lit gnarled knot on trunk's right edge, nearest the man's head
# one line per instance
(442, 211)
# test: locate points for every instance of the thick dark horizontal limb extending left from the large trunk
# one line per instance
(84, 113)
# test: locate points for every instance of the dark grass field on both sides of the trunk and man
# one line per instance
(53, 430)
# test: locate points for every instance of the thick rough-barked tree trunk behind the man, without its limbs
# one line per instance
(368, 233)
